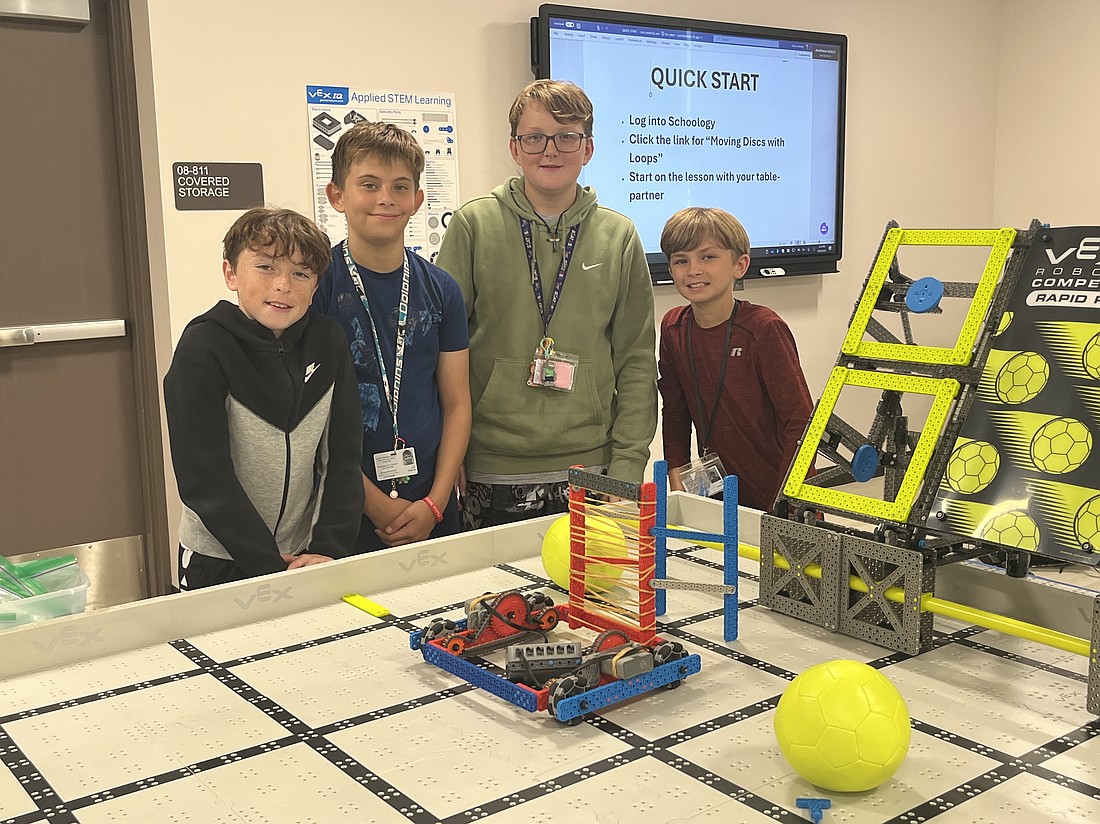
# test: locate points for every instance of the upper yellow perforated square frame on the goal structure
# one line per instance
(999, 240)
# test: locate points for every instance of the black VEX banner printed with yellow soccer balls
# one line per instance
(1022, 473)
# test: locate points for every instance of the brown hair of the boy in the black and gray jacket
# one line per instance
(288, 235)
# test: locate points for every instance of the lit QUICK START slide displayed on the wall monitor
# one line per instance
(702, 124)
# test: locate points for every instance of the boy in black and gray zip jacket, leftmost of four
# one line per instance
(263, 414)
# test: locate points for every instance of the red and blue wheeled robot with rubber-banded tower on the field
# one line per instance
(628, 658)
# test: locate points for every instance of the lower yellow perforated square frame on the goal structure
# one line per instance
(943, 390)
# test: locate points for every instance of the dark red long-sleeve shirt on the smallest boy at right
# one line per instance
(765, 401)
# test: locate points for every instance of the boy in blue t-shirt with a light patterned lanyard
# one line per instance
(395, 306)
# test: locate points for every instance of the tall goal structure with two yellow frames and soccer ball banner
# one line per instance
(1003, 465)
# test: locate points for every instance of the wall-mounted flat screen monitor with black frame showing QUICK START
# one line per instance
(692, 113)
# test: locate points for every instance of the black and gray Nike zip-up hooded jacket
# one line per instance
(267, 440)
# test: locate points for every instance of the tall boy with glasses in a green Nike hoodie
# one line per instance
(560, 306)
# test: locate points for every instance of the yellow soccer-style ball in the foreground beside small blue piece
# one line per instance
(843, 727)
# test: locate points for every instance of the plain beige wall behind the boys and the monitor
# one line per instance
(939, 116)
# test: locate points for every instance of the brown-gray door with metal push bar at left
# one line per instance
(81, 467)
